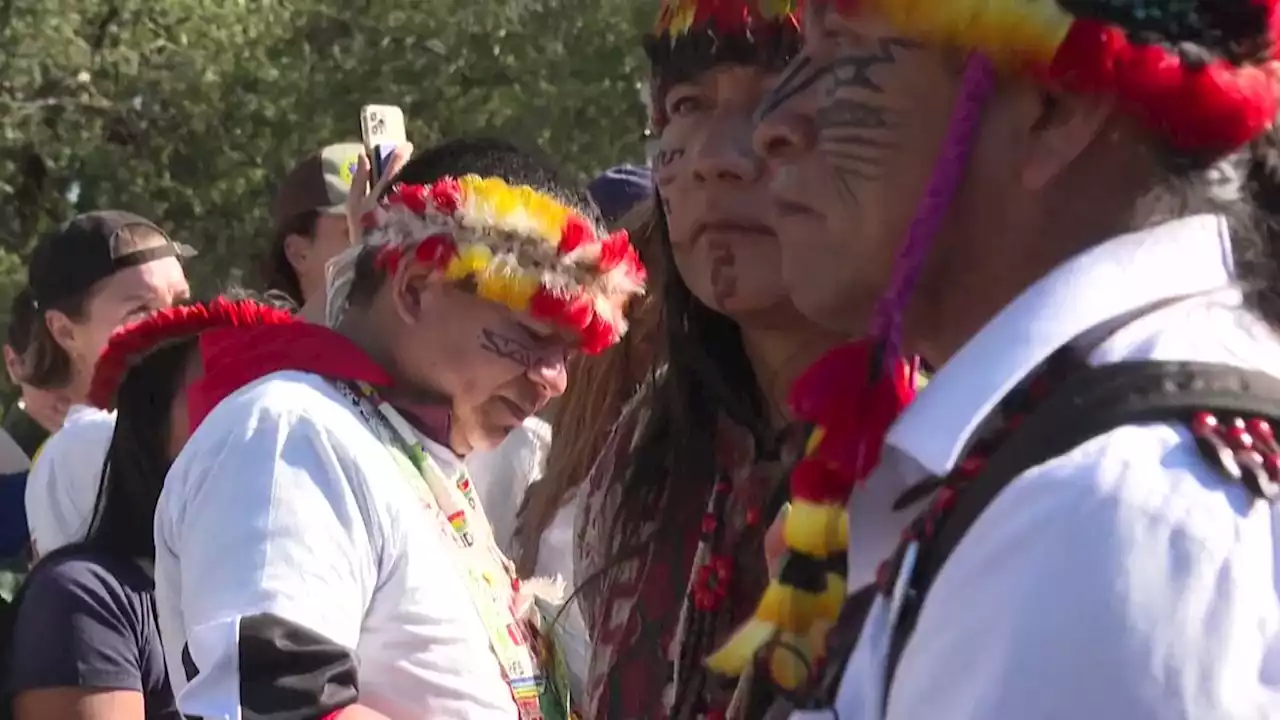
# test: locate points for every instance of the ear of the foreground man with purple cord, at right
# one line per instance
(1067, 125)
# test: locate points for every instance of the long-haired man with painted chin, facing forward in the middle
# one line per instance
(676, 511)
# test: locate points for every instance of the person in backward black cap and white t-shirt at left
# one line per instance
(100, 272)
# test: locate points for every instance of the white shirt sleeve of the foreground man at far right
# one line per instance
(1107, 590)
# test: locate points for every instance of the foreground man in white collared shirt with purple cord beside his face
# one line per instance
(1054, 203)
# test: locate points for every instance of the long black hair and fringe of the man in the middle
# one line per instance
(705, 375)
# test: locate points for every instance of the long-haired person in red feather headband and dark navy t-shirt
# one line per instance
(86, 645)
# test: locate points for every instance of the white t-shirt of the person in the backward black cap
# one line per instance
(62, 489)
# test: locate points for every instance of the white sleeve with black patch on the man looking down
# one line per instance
(264, 514)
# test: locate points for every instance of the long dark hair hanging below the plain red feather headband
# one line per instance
(138, 459)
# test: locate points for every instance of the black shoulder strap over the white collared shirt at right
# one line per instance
(1091, 404)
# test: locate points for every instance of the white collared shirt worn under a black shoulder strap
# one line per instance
(1124, 581)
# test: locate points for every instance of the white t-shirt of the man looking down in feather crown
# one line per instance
(287, 532)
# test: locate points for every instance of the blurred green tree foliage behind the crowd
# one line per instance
(190, 111)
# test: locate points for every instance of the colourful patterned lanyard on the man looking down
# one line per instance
(486, 569)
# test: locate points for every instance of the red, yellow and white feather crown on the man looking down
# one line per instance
(516, 247)
